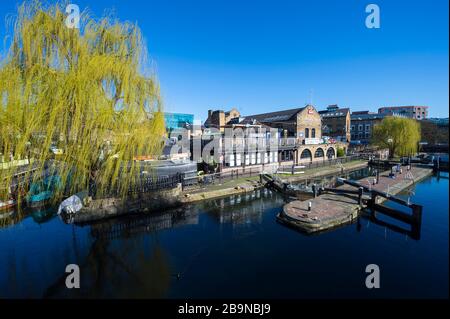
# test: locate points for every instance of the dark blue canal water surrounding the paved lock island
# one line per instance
(230, 247)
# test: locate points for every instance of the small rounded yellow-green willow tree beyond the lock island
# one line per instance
(400, 135)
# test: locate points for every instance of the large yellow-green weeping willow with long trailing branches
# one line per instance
(86, 91)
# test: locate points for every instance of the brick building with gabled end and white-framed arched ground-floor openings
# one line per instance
(297, 131)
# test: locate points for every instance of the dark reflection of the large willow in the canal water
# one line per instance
(129, 268)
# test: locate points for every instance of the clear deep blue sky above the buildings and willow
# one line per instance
(262, 56)
